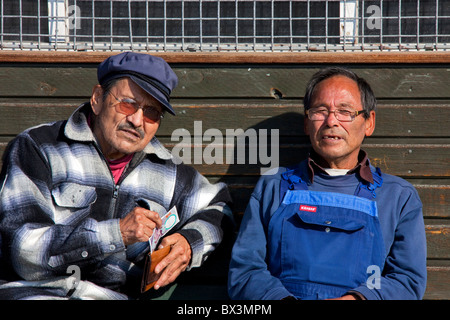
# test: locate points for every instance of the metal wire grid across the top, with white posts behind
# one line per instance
(225, 25)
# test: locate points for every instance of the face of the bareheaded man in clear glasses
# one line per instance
(338, 143)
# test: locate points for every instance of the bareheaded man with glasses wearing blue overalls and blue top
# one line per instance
(333, 226)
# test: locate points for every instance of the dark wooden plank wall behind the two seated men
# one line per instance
(238, 91)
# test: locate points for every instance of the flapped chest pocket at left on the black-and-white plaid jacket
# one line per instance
(74, 195)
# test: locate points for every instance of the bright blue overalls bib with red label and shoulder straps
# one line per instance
(321, 244)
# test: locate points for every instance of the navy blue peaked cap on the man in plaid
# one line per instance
(151, 73)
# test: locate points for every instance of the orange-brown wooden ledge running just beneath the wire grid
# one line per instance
(389, 57)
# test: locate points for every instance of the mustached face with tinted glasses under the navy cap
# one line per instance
(119, 134)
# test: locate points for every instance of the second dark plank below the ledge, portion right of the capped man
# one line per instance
(393, 120)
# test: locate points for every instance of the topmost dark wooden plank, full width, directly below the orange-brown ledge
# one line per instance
(252, 81)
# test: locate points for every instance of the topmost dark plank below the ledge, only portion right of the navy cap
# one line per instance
(290, 82)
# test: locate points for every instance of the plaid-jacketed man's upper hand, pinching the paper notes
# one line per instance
(138, 225)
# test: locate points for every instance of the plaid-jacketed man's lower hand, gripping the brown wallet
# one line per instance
(175, 262)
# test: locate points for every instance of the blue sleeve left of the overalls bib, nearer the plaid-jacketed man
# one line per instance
(249, 277)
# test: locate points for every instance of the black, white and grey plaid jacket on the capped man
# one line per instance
(59, 205)
